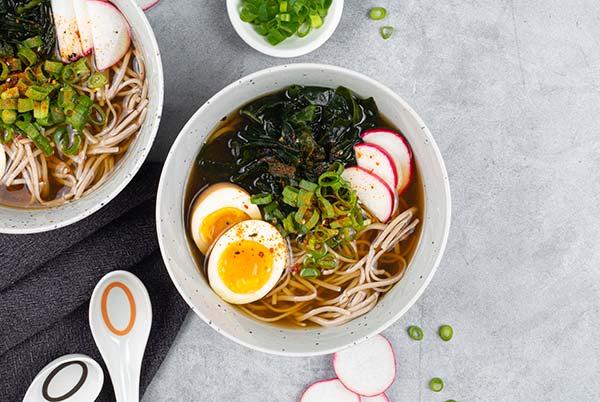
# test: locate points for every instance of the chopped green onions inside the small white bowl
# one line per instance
(278, 20)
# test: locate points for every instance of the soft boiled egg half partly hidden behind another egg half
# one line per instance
(218, 208)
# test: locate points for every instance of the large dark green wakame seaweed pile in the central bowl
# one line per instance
(292, 135)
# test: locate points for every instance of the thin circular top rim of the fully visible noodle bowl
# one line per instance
(305, 66)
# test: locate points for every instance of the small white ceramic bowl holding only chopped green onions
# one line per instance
(291, 47)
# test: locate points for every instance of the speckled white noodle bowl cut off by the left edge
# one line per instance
(22, 221)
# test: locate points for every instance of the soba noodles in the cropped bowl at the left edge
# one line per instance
(124, 100)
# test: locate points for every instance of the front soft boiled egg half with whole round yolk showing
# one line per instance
(247, 261)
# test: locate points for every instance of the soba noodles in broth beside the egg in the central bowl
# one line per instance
(348, 291)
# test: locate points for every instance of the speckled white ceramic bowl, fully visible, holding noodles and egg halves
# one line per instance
(191, 283)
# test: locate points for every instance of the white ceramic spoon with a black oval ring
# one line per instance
(70, 378)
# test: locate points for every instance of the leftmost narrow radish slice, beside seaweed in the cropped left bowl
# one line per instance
(67, 31)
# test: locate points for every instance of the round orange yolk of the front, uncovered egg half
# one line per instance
(245, 266)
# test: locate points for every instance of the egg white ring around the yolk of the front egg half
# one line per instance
(260, 232)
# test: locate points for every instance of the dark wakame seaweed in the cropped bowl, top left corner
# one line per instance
(23, 19)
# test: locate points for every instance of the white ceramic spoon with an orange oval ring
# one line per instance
(120, 319)
